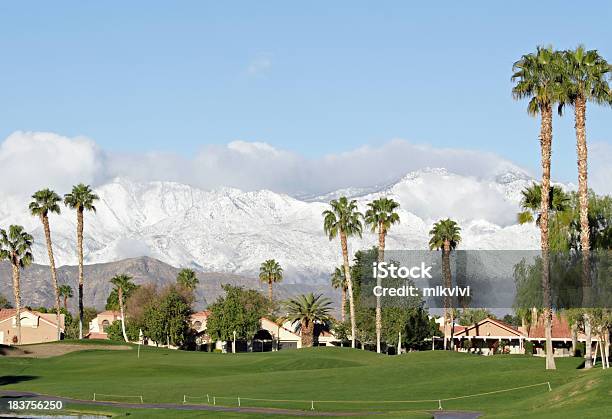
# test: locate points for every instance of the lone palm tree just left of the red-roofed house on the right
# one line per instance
(445, 236)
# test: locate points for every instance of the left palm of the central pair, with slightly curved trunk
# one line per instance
(344, 220)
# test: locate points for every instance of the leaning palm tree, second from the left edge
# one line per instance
(44, 202)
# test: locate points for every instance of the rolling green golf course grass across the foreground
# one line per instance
(331, 374)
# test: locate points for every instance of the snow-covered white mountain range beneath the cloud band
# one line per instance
(229, 230)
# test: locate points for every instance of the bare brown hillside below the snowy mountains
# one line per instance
(36, 287)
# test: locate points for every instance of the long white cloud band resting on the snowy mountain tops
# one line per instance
(31, 160)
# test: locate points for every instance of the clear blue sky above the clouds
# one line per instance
(312, 78)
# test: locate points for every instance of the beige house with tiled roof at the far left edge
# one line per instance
(36, 327)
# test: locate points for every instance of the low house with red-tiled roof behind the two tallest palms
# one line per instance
(491, 335)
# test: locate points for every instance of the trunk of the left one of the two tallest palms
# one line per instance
(545, 145)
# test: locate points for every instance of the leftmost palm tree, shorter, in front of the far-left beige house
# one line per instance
(16, 247)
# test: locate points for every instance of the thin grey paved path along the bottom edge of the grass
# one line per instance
(9, 394)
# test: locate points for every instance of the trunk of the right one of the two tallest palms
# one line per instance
(583, 200)
